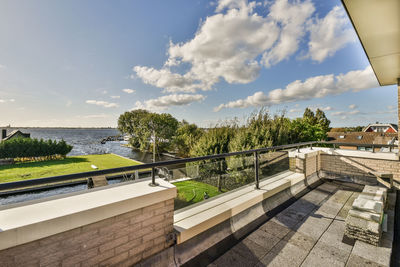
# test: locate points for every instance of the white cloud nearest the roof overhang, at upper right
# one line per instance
(330, 34)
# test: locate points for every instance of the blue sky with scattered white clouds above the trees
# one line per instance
(83, 63)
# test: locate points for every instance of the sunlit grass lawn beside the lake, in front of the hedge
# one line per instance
(76, 164)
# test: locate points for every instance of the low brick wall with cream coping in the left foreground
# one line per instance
(117, 225)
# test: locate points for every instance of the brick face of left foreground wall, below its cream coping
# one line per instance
(122, 240)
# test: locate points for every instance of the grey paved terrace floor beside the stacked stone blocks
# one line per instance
(308, 233)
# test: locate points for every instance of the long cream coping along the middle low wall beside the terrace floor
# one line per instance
(195, 220)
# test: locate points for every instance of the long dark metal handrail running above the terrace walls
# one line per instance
(152, 166)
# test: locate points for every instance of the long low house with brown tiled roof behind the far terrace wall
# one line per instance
(363, 140)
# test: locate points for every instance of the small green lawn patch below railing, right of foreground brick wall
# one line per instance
(190, 192)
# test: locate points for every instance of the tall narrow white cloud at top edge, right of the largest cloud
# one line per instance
(292, 17)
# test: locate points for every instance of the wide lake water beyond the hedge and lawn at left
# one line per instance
(86, 141)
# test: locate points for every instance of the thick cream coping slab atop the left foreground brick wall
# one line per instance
(25, 223)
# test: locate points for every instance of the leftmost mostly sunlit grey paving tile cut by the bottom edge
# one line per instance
(284, 254)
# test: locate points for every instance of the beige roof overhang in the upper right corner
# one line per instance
(377, 23)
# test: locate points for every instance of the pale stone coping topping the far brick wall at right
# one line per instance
(304, 152)
